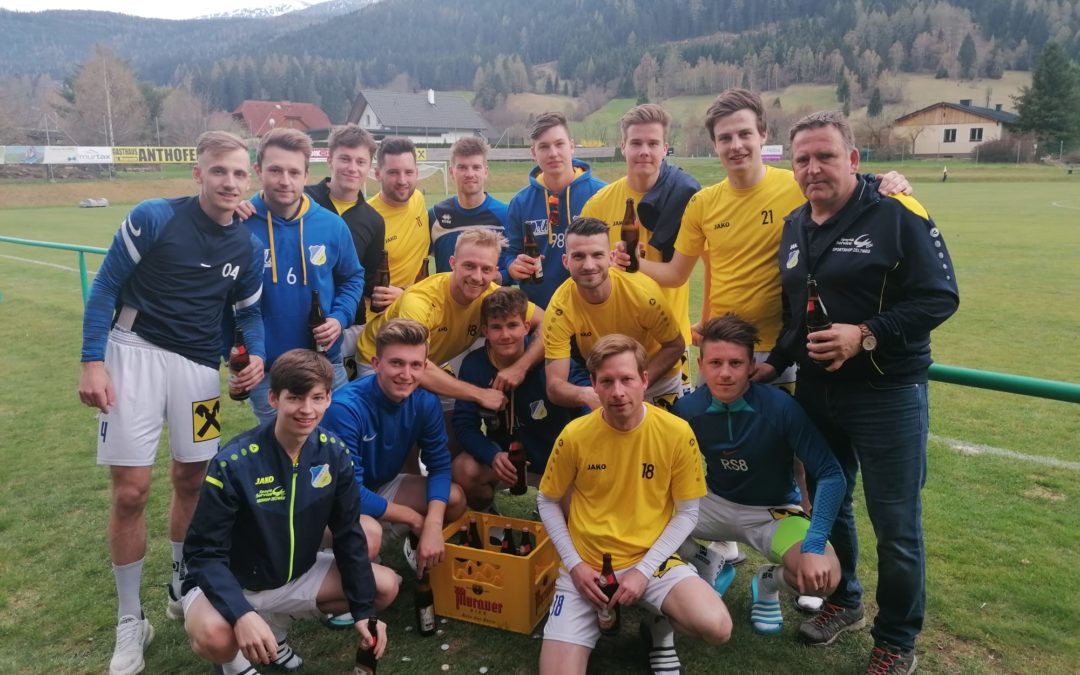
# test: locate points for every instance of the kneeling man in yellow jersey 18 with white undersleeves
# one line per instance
(637, 477)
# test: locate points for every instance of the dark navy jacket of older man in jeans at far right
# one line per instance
(881, 262)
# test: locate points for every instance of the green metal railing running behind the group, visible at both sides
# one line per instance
(1055, 390)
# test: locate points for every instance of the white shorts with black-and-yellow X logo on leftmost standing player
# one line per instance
(154, 386)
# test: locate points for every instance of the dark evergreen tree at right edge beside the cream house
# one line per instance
(1050, 109)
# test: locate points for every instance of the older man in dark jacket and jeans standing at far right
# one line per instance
(886, 276)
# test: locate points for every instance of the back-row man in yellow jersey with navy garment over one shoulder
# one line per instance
(660, 193)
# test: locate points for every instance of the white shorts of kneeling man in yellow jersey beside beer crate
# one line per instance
(573, 619)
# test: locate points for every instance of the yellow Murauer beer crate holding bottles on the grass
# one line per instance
(491, 588)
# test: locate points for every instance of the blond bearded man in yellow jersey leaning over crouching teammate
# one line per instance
(449, 306)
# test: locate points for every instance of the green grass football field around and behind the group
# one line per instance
(1002, 532)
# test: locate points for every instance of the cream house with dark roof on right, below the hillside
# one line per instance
(954, 130)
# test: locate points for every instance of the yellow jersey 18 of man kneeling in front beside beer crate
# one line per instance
(626, 483)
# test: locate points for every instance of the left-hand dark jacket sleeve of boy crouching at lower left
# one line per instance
(209, 542)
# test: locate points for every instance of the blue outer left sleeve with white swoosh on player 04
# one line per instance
(132, 241)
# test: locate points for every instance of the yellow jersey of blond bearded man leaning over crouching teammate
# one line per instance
(452, 328)
